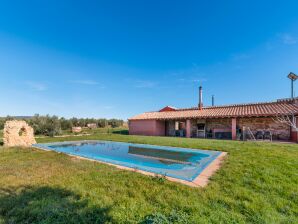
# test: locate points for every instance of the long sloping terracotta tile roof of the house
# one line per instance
(284, 107)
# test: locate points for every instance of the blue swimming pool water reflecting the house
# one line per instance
(181, 163)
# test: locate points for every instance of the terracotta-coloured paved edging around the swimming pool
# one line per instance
(200, 181)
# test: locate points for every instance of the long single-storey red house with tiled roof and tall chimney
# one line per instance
(236, 122)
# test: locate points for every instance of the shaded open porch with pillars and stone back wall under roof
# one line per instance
(256, 128)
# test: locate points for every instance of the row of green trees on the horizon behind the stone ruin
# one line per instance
(53, 125)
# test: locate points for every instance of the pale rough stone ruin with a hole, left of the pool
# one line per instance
(18, 133)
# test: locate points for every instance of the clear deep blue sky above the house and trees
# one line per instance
(121, 58)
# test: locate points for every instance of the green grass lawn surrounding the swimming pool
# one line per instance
(258, 183)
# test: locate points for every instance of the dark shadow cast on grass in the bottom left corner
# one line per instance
(48, 205)
